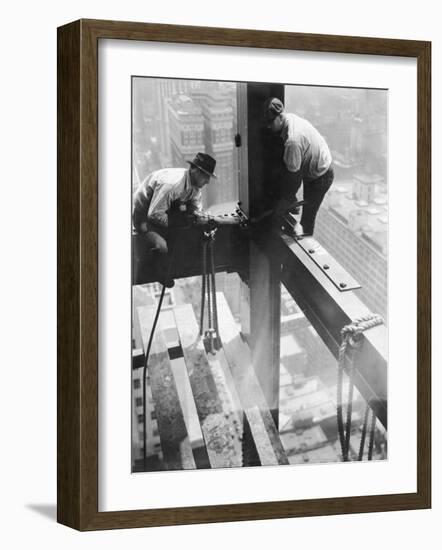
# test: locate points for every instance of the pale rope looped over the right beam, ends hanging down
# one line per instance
(351, 340)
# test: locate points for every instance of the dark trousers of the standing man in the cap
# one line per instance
(314, 193)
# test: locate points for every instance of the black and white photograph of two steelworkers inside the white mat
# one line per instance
(259, 220)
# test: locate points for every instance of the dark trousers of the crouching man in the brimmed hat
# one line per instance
(150, 254)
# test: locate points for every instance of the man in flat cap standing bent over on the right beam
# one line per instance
(306, 159)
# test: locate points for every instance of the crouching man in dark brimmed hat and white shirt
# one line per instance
(153, 202)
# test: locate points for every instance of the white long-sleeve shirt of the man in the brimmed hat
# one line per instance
(159, 190)
